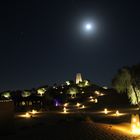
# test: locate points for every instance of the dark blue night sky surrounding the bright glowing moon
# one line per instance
(43, 42)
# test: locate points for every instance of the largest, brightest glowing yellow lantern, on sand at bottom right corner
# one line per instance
(135, 124)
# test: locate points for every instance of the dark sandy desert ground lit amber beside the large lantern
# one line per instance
(87, 125)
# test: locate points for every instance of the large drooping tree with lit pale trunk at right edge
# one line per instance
(128, 80)
